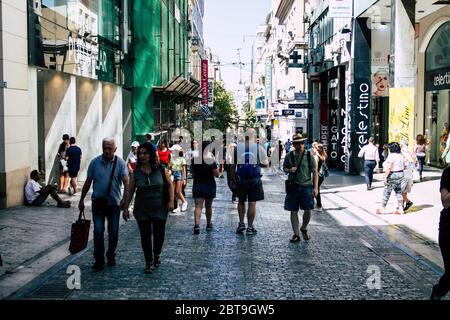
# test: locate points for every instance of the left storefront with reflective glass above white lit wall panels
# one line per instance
(77, 49)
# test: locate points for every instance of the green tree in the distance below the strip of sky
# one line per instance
(224, 112)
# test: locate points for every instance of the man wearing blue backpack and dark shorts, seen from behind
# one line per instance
(249, 158)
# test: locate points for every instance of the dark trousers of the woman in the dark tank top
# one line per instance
(149, 228)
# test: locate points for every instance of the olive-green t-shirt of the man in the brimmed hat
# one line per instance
(303, 176)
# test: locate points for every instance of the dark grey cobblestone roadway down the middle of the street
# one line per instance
(222, 265)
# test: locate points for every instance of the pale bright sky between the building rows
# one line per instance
(229, 25)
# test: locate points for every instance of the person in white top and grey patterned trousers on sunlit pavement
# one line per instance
(393, 178)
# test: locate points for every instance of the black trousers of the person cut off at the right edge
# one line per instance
(443, 287)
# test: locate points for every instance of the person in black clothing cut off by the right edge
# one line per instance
(443, 286)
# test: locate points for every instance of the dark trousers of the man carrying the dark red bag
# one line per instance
(113, 218)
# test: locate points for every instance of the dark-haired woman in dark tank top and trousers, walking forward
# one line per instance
(154, 198)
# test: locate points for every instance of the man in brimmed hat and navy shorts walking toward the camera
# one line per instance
(302, 169)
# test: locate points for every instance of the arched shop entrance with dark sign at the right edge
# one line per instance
(437, 93)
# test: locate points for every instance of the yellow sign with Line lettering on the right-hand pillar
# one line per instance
(401, 114)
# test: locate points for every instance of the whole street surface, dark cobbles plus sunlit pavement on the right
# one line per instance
(347, 243)
